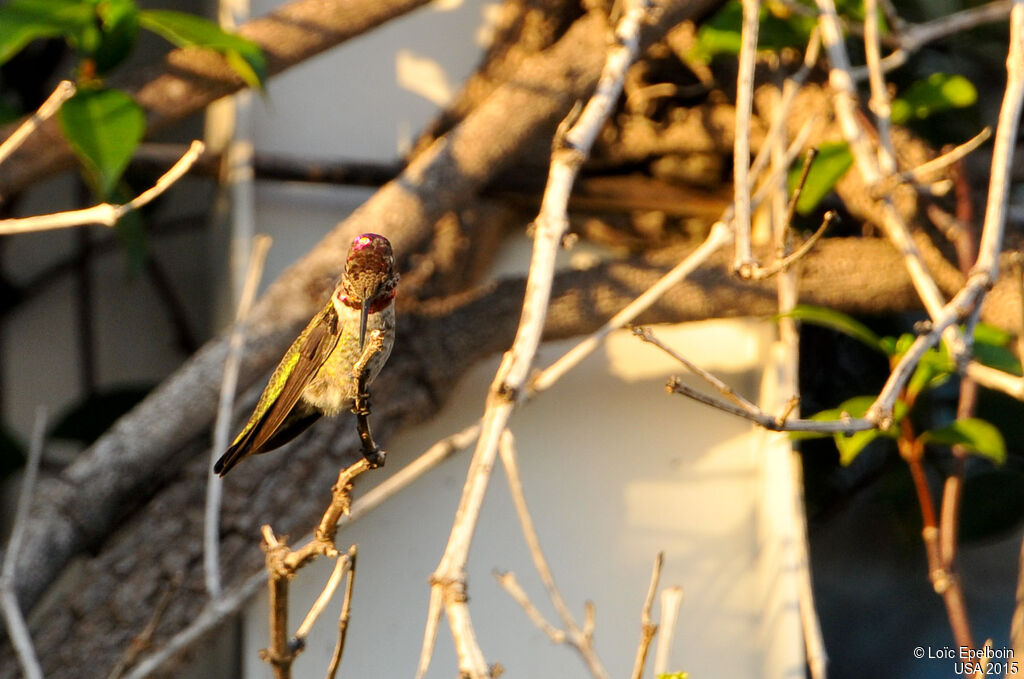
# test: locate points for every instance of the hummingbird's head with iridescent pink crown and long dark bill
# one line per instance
(370, 281)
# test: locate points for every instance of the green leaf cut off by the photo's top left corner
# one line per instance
(25, 21)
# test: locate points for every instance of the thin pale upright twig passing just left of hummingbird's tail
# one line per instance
(222, 429)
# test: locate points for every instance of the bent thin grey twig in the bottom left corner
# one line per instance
(18, 630)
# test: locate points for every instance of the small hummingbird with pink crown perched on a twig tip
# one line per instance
(315, 377)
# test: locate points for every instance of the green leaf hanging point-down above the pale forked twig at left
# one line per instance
(104, 128)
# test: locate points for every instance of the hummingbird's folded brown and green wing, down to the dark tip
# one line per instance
(289, 380)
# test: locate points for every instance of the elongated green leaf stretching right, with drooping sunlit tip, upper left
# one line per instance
(184, 30)
